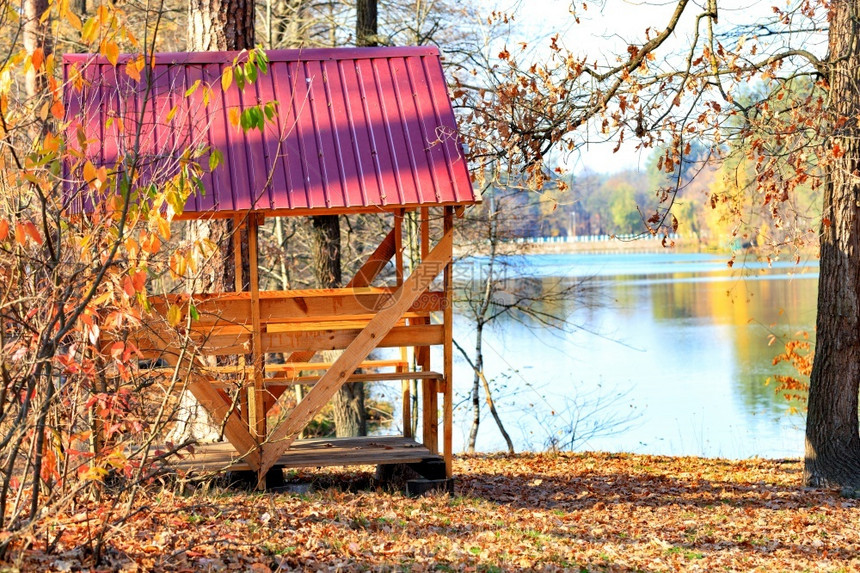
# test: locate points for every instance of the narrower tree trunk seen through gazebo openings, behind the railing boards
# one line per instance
(350, 417)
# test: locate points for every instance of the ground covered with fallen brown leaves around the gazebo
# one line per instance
(580, 512)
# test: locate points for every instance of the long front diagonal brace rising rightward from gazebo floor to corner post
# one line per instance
(354, 354)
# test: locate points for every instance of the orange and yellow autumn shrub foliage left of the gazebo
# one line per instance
(82, 246)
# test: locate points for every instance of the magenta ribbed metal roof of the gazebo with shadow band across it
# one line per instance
(356, 128)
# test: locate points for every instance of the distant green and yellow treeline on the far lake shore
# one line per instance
(709, 200)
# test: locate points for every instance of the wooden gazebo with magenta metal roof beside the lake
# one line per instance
(357, 131)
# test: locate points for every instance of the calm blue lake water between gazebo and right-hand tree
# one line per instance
(669, 354)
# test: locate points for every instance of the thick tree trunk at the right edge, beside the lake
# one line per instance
(832, 439)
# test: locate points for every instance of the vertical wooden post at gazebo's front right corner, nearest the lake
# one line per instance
(448, 351)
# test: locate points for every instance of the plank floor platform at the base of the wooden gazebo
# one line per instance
(368, 450)
